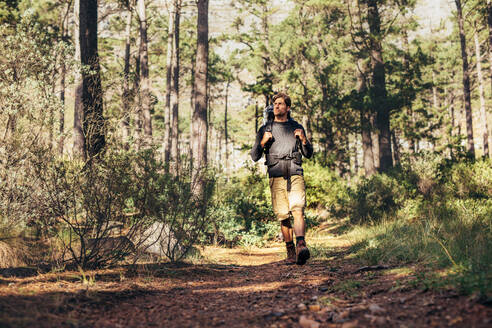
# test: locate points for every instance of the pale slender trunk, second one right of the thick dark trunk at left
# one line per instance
(144, 74)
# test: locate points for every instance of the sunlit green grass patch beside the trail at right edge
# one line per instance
(454, 236)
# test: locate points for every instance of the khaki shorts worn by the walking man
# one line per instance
(285, 202)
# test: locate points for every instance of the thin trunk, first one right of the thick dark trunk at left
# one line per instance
(125, 123)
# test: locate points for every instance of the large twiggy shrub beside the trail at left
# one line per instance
(100, 211)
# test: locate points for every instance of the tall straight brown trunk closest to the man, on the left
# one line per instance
(199, 124)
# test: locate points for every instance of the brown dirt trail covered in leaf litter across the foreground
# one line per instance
(236, 288)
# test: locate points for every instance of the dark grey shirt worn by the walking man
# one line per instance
(284, 143)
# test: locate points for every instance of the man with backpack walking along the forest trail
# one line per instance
(284, 142)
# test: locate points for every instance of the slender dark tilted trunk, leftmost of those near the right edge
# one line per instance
(466, 82)
